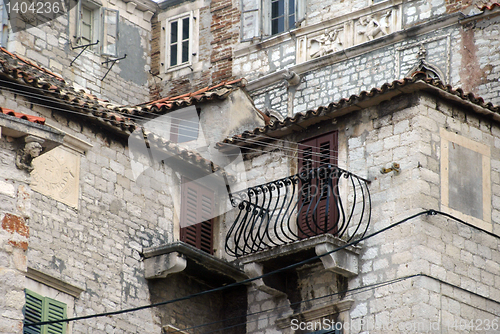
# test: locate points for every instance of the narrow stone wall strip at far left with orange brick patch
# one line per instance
(14, 235)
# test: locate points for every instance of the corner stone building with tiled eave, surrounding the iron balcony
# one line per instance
(427, 274)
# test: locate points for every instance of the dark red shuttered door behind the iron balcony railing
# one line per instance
(319, 212)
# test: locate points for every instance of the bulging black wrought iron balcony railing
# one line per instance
(313, 202)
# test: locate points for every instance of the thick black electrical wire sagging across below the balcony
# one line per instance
(249, 280)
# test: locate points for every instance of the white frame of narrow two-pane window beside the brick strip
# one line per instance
(179, 19)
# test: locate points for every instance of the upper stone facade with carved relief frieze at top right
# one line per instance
(340, 50)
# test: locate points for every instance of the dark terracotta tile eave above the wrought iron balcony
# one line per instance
(354, 102)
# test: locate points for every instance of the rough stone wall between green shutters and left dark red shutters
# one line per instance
(98, 246)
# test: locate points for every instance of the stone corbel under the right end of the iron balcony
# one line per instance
(342, 262)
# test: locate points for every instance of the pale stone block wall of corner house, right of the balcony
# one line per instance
(440, 248)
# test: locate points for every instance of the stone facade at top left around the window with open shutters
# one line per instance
(111, 29)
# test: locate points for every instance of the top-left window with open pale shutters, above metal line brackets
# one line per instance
(97, 24)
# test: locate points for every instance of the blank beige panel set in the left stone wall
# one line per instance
(56, 174)
